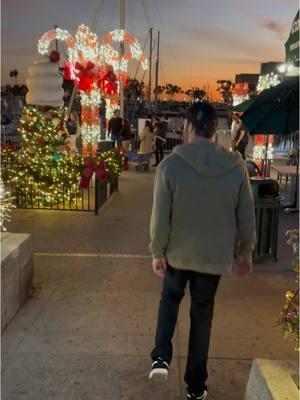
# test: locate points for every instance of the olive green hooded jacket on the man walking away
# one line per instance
(202, 204)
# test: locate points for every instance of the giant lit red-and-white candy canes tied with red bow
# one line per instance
(91, 65)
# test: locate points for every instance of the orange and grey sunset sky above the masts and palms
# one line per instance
(201, 40)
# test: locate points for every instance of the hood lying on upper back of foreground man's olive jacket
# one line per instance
(207, 158)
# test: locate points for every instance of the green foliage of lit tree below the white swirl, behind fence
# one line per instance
(43, 172)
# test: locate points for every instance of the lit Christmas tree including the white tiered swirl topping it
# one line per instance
(44, 172)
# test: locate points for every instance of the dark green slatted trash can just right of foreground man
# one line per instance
(267, 206)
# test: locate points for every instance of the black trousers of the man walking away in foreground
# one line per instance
(203, 289)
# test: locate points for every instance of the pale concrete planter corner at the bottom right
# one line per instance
(272, 380)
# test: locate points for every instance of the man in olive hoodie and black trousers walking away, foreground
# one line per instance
(202, 203)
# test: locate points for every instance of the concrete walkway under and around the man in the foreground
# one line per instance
(89, 328)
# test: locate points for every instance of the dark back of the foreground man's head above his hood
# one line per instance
(202, 116)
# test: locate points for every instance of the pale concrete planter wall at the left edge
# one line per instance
(16, 274)
